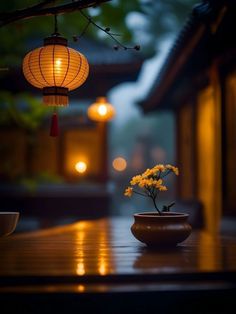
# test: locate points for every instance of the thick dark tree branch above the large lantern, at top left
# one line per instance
(41, 10)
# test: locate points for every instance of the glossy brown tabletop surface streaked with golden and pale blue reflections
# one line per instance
(106, 247)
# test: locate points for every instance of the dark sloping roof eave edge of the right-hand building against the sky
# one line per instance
(193, 31)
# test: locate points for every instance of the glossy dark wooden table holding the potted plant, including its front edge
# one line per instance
(98, 266)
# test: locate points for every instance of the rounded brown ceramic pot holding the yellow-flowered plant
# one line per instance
(167, 229)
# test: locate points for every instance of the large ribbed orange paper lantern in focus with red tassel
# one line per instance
(56, 69)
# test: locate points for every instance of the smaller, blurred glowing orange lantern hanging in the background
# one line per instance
(101, 110)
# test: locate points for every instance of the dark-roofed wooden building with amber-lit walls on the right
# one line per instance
(198, 83)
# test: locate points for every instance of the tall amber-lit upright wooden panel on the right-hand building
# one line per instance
(208, 132)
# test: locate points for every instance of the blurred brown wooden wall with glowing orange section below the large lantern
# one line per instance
(23, 155)
